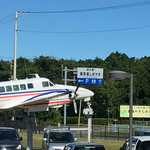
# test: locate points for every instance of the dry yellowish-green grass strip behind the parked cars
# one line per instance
(37, 141)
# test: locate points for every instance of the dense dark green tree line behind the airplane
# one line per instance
(107, 97)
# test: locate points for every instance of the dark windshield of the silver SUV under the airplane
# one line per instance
(60, 137)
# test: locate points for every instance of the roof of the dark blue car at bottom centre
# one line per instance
(84, 143)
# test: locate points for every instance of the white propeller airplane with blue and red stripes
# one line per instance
(38, 94)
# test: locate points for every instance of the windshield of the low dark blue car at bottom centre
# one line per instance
(89, 148)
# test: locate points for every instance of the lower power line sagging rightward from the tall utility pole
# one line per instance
(82, 32)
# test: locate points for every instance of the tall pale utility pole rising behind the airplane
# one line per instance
(15, 47)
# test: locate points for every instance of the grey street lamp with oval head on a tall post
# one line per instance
(120, 75)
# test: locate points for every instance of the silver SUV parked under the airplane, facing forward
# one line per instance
(56, 139)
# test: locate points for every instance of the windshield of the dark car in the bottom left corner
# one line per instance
(8, 135)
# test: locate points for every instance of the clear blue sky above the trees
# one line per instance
(72, 35)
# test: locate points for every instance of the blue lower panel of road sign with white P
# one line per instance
(95, 81)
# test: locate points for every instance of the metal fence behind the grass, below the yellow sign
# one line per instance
(116, 132)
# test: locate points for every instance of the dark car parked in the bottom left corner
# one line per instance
(9, 139)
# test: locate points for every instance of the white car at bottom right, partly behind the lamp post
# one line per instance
(135, 140)
